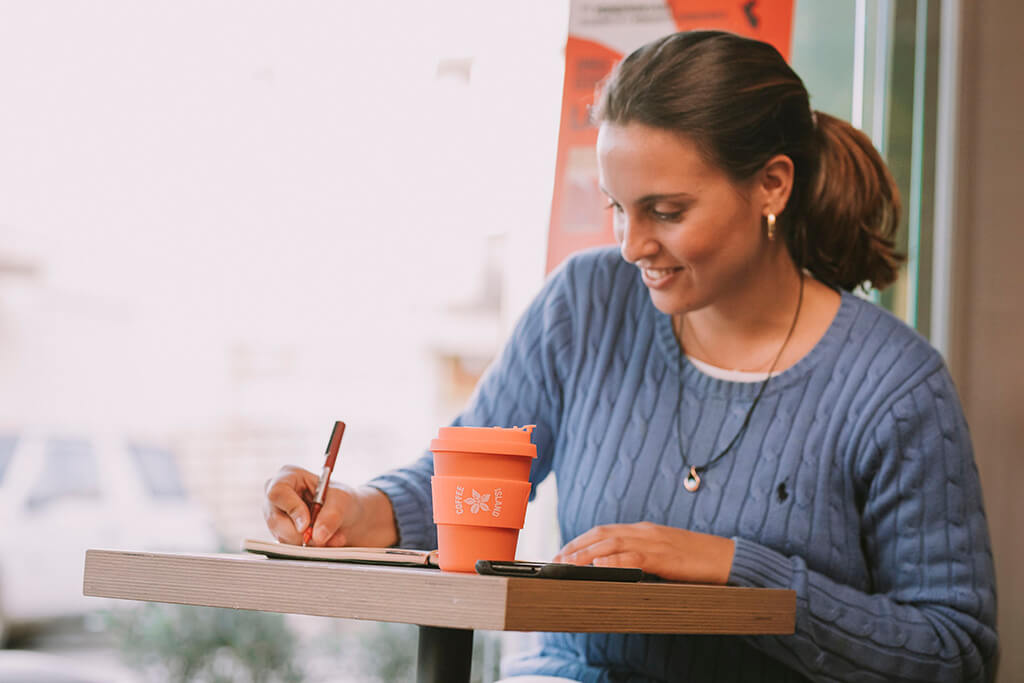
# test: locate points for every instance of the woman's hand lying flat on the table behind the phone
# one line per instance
(671, 553)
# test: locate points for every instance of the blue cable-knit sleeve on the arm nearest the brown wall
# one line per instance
(930, 615)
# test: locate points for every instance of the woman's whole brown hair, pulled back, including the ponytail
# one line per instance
(742, 104)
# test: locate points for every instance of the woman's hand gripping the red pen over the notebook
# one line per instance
(351, 517)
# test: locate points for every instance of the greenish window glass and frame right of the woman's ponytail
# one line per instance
(875, 64)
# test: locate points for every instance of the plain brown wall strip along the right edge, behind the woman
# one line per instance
(989, 311)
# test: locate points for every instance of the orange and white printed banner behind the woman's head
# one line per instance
(601, 33)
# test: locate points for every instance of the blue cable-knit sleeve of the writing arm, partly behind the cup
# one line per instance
(525, 386)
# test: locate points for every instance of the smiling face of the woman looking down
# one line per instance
(695, 234)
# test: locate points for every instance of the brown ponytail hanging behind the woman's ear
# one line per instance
(844, 231)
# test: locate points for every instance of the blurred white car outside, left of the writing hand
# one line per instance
(61, 495)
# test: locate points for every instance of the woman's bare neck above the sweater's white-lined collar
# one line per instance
(746, 330)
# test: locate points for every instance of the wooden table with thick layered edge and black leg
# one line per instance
(448, 608)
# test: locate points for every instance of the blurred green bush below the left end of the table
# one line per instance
(212, 646)
